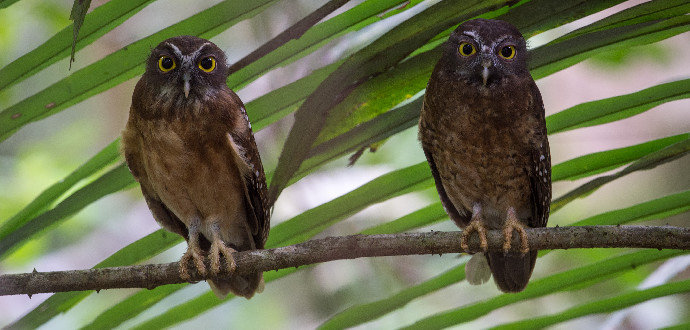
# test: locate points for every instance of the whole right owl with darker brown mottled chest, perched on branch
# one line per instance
(483, 133)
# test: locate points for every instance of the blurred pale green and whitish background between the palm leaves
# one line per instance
(48, 150)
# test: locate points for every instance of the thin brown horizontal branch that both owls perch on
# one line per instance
(348, 247)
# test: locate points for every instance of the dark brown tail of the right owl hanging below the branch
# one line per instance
(511, 271)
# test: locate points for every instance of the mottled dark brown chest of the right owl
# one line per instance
(482, 149)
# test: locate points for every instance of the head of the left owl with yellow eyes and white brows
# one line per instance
(185, 68)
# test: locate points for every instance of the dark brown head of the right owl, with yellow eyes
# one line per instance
(485, 52)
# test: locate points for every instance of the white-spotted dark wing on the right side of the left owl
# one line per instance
(252, 173)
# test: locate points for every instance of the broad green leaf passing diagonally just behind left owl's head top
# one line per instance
(121, 65)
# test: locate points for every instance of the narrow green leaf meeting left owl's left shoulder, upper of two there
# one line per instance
(106, 157)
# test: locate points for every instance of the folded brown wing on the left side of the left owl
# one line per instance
(166, 218)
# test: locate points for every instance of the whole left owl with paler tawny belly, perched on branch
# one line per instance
(190, 145)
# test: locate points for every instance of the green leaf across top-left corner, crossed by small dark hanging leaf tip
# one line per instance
(101, 20)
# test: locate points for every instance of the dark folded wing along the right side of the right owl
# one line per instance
(540, 171)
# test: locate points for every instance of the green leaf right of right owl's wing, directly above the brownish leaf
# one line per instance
(599, 162)
